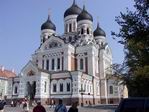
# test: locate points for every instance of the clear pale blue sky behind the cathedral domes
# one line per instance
(21, 20)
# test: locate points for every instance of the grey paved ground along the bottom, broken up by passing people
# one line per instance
(81, 109)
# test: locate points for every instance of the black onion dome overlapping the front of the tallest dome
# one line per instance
(84, 15)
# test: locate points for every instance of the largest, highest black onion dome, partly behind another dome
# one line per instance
(73, 10)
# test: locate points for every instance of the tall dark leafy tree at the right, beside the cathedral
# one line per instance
(134, 35)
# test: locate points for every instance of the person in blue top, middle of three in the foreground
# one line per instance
(60, 107)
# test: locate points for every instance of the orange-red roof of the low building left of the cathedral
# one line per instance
(7, 73)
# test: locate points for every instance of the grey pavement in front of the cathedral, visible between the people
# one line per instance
(97, 108)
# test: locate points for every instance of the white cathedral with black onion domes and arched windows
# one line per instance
(72, 66)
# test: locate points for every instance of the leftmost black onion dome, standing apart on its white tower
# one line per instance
(48, 25)
